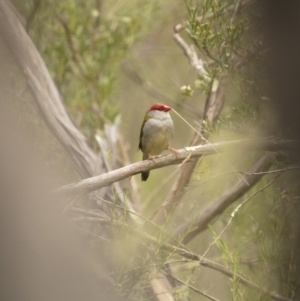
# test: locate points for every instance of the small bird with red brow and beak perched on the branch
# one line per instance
(156, 134)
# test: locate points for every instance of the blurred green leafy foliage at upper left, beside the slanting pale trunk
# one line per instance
(83, 44)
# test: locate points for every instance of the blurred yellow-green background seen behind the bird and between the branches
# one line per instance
(116, 58)
